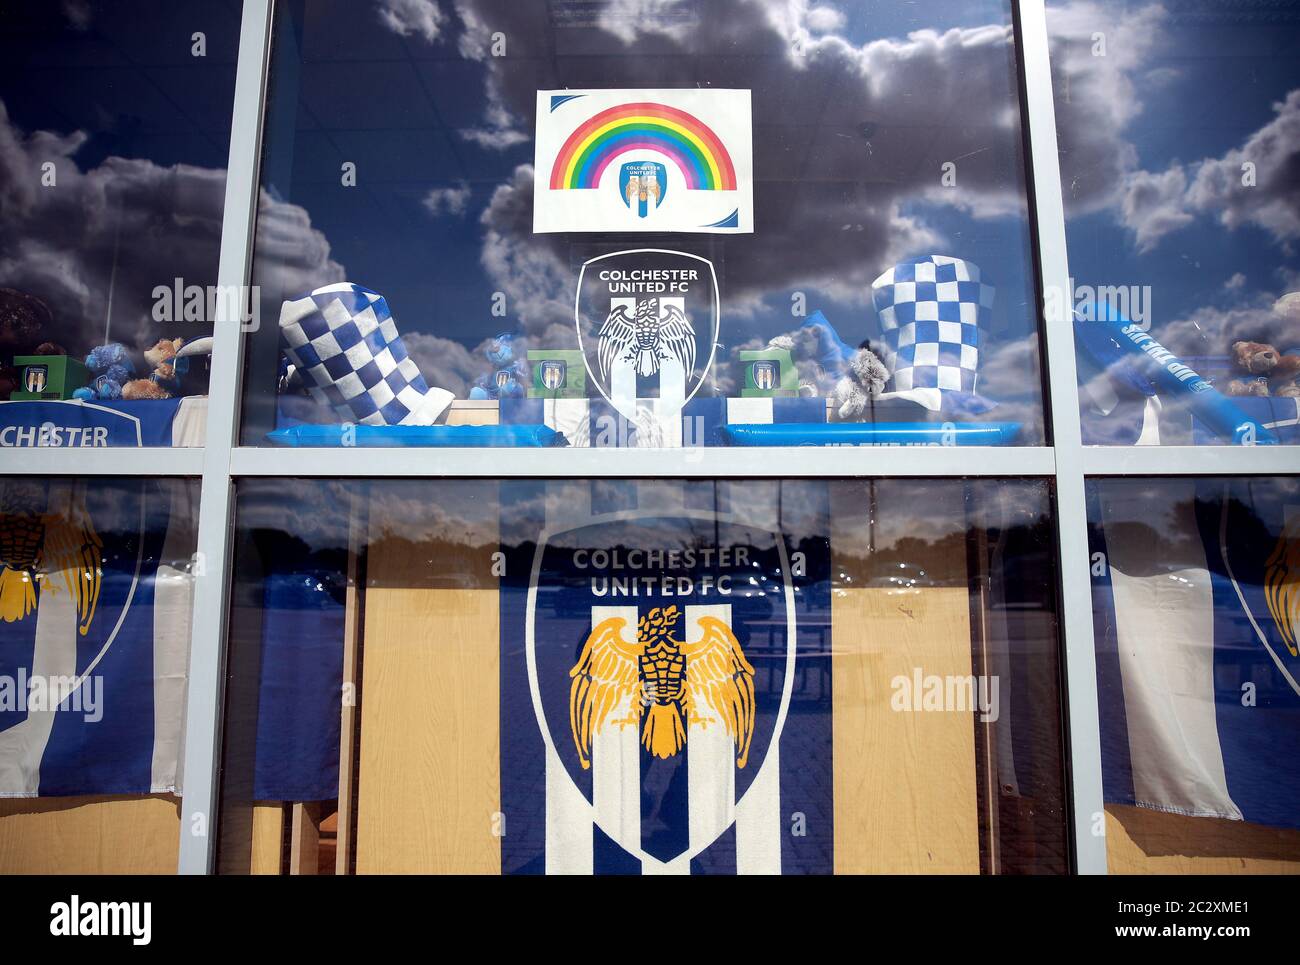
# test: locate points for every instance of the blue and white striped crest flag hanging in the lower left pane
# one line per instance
(94, 635)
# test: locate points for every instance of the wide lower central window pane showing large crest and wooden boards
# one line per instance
(798, 677)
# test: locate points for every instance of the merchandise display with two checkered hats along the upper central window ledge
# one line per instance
(343, 350)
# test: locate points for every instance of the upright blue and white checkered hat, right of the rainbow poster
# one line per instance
(931, 311)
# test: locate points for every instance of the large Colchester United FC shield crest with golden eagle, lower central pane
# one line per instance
(660, 678)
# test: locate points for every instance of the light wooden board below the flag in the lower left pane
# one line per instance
(90, 836)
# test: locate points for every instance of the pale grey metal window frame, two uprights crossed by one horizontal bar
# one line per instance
(223, 461)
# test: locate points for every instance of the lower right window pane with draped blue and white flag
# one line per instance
(1197, 620)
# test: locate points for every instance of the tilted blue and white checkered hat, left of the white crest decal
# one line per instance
(346, 348)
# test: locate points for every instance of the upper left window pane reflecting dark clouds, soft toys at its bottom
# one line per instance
(115, 128)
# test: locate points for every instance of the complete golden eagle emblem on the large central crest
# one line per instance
(673, 685)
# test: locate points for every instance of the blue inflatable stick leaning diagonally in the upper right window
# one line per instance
(1121, 345)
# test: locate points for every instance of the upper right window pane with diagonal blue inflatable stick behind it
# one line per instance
(1180, 137)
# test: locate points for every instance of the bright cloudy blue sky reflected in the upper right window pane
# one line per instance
(1155, 127)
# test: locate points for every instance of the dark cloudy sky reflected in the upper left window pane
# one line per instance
(110, 102)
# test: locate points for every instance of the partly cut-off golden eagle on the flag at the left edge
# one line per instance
(55, 547)
